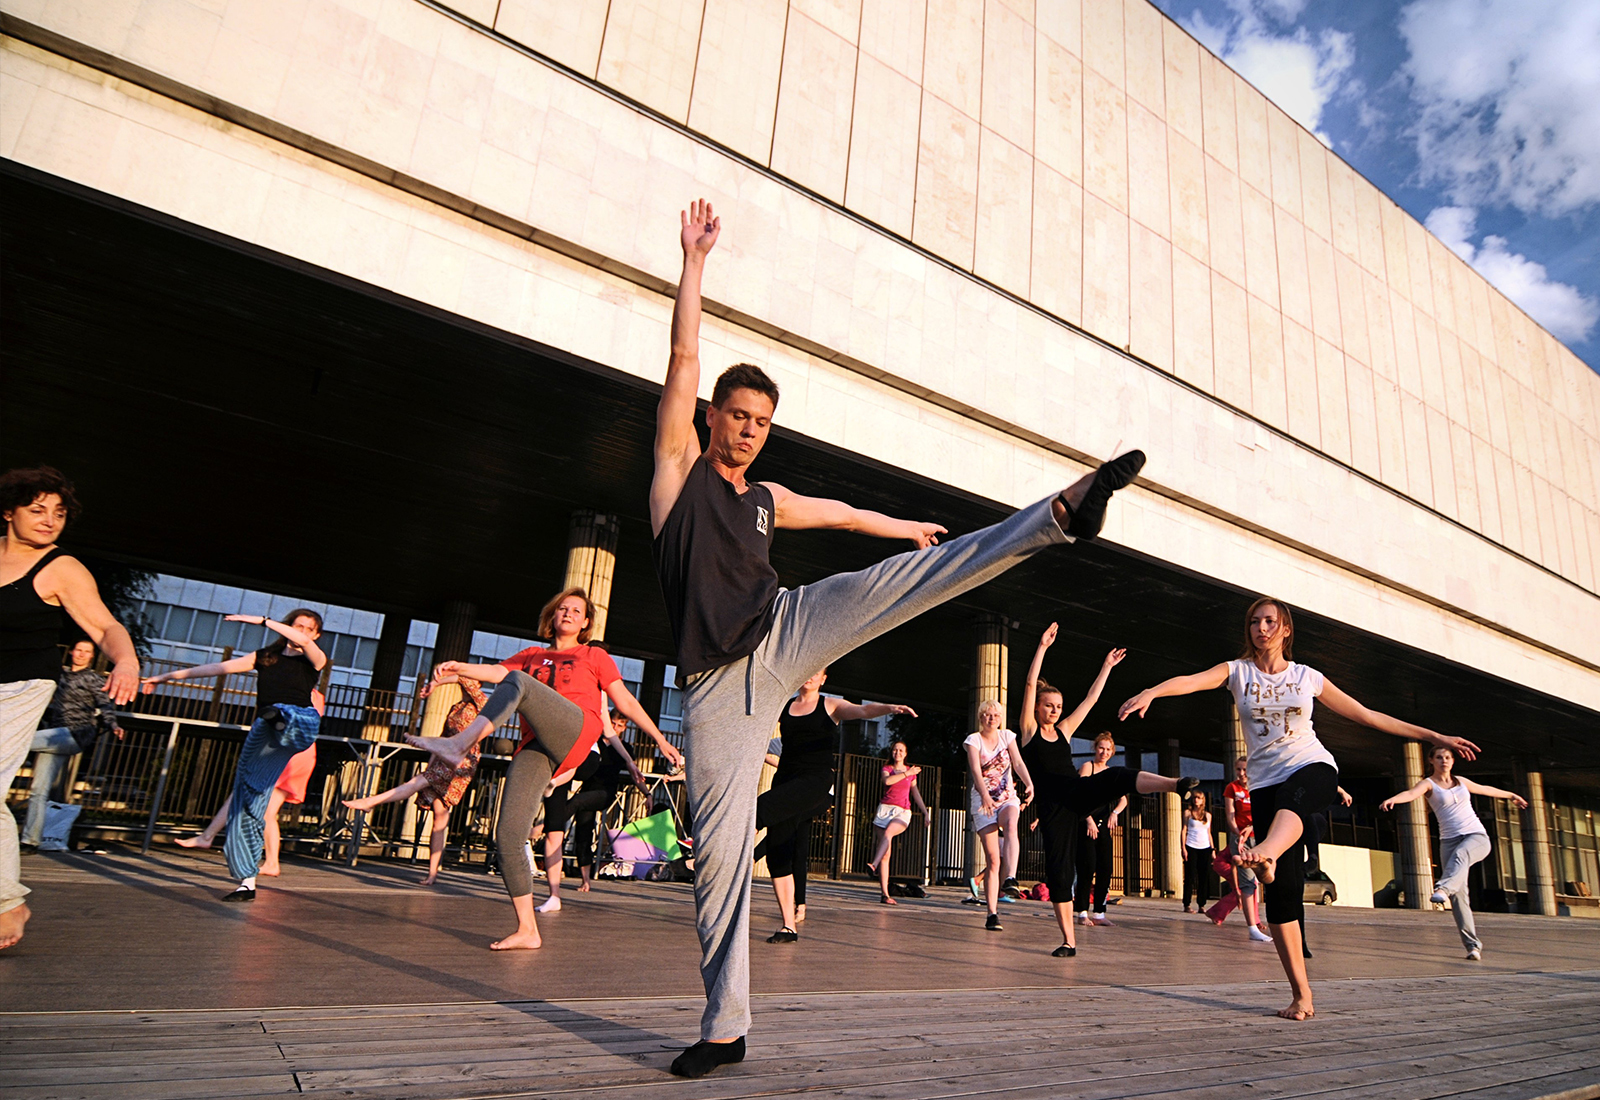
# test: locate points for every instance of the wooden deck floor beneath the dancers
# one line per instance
(124, 994)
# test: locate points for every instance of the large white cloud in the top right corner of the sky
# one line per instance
(1510, 100)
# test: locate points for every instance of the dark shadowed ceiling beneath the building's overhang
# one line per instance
(236, 416)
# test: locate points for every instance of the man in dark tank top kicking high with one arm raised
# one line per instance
(745, 645)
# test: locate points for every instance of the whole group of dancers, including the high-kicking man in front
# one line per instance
(750, 655)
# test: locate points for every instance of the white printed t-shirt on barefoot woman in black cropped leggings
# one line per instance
(1274, 711)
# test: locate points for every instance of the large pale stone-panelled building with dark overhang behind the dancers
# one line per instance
(367, 298)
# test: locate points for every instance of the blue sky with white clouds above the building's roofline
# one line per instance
(1479, 118)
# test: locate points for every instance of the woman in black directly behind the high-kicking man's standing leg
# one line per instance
(802, 789)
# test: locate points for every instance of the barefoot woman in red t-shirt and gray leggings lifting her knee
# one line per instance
(556, 691)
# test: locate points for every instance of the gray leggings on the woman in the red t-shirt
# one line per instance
(556, 725)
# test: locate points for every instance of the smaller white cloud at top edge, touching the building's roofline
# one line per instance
(1298, 71)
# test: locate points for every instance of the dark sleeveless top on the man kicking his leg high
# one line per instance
(711, 557)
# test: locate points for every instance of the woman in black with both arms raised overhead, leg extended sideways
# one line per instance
(1065, 795)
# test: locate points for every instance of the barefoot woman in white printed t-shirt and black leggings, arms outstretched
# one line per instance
(1292, 776)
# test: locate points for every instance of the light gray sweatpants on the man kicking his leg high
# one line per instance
(729, 719)
